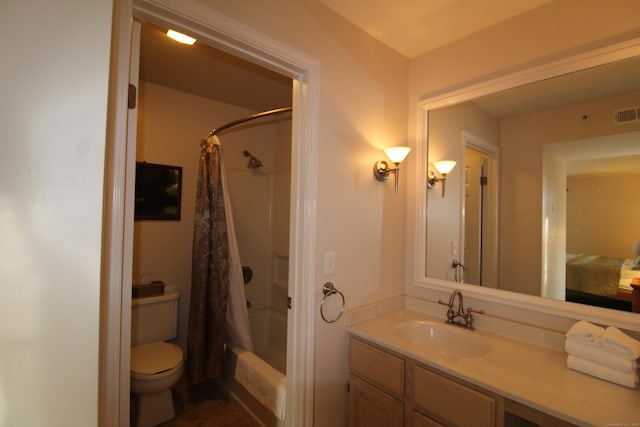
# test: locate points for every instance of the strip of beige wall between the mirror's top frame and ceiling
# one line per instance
(553, 31)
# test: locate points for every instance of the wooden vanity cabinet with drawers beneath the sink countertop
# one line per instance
(390, 390)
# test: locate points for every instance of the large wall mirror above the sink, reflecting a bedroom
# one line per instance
(543, 199)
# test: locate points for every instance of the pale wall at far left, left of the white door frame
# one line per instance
(55, 69)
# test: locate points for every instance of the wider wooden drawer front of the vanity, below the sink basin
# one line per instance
(448, 400)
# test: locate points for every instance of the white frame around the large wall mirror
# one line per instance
(593, 58)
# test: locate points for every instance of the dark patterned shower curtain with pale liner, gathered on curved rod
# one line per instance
(218, 307)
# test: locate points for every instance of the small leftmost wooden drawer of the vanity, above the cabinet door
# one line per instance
(376, 366)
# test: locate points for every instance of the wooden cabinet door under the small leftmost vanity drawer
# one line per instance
(370, 407)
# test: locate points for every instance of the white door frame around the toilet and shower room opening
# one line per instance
(238, 39)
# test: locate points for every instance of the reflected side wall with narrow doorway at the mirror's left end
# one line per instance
(462, 225)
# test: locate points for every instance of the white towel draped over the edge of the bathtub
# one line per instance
(264, 382)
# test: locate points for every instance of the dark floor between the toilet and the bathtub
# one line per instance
(205, 405)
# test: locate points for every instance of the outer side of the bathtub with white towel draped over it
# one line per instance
(256, 386)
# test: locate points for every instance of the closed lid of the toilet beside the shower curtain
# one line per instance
(155, 358)
